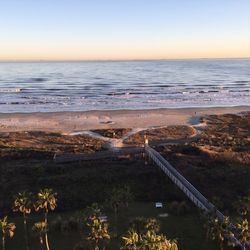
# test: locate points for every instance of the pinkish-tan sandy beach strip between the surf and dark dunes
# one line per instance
(72, 121)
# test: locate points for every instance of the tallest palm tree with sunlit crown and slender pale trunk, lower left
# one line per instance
(46, 201)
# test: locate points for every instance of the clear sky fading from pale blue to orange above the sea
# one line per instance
(124, 29)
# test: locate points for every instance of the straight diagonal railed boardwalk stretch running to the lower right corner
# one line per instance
(191, 192)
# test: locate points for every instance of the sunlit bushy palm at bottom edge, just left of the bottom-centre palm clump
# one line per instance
(98, 231)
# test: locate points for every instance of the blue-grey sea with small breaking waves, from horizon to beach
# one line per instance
(79, 86)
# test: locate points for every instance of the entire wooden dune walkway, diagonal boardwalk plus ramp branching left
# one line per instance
(189, 190)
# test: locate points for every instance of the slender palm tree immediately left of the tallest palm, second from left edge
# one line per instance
(23, 204)
